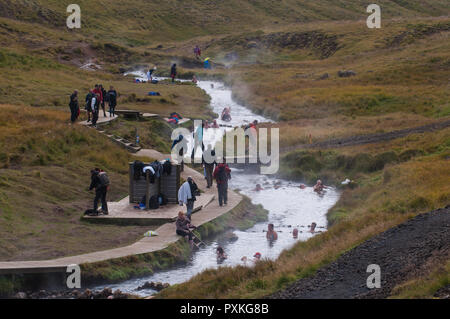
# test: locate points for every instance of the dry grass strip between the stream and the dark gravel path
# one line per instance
(383, 199)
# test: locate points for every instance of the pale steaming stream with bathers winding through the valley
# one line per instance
(288, 206)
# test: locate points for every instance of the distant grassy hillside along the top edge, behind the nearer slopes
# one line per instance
(139, 22)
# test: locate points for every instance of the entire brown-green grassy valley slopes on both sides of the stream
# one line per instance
(282, 59)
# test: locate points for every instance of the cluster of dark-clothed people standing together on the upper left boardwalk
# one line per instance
(95, 99)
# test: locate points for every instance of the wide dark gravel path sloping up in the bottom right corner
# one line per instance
(401, 252)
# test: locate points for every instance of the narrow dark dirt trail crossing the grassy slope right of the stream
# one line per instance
(370, 138)
